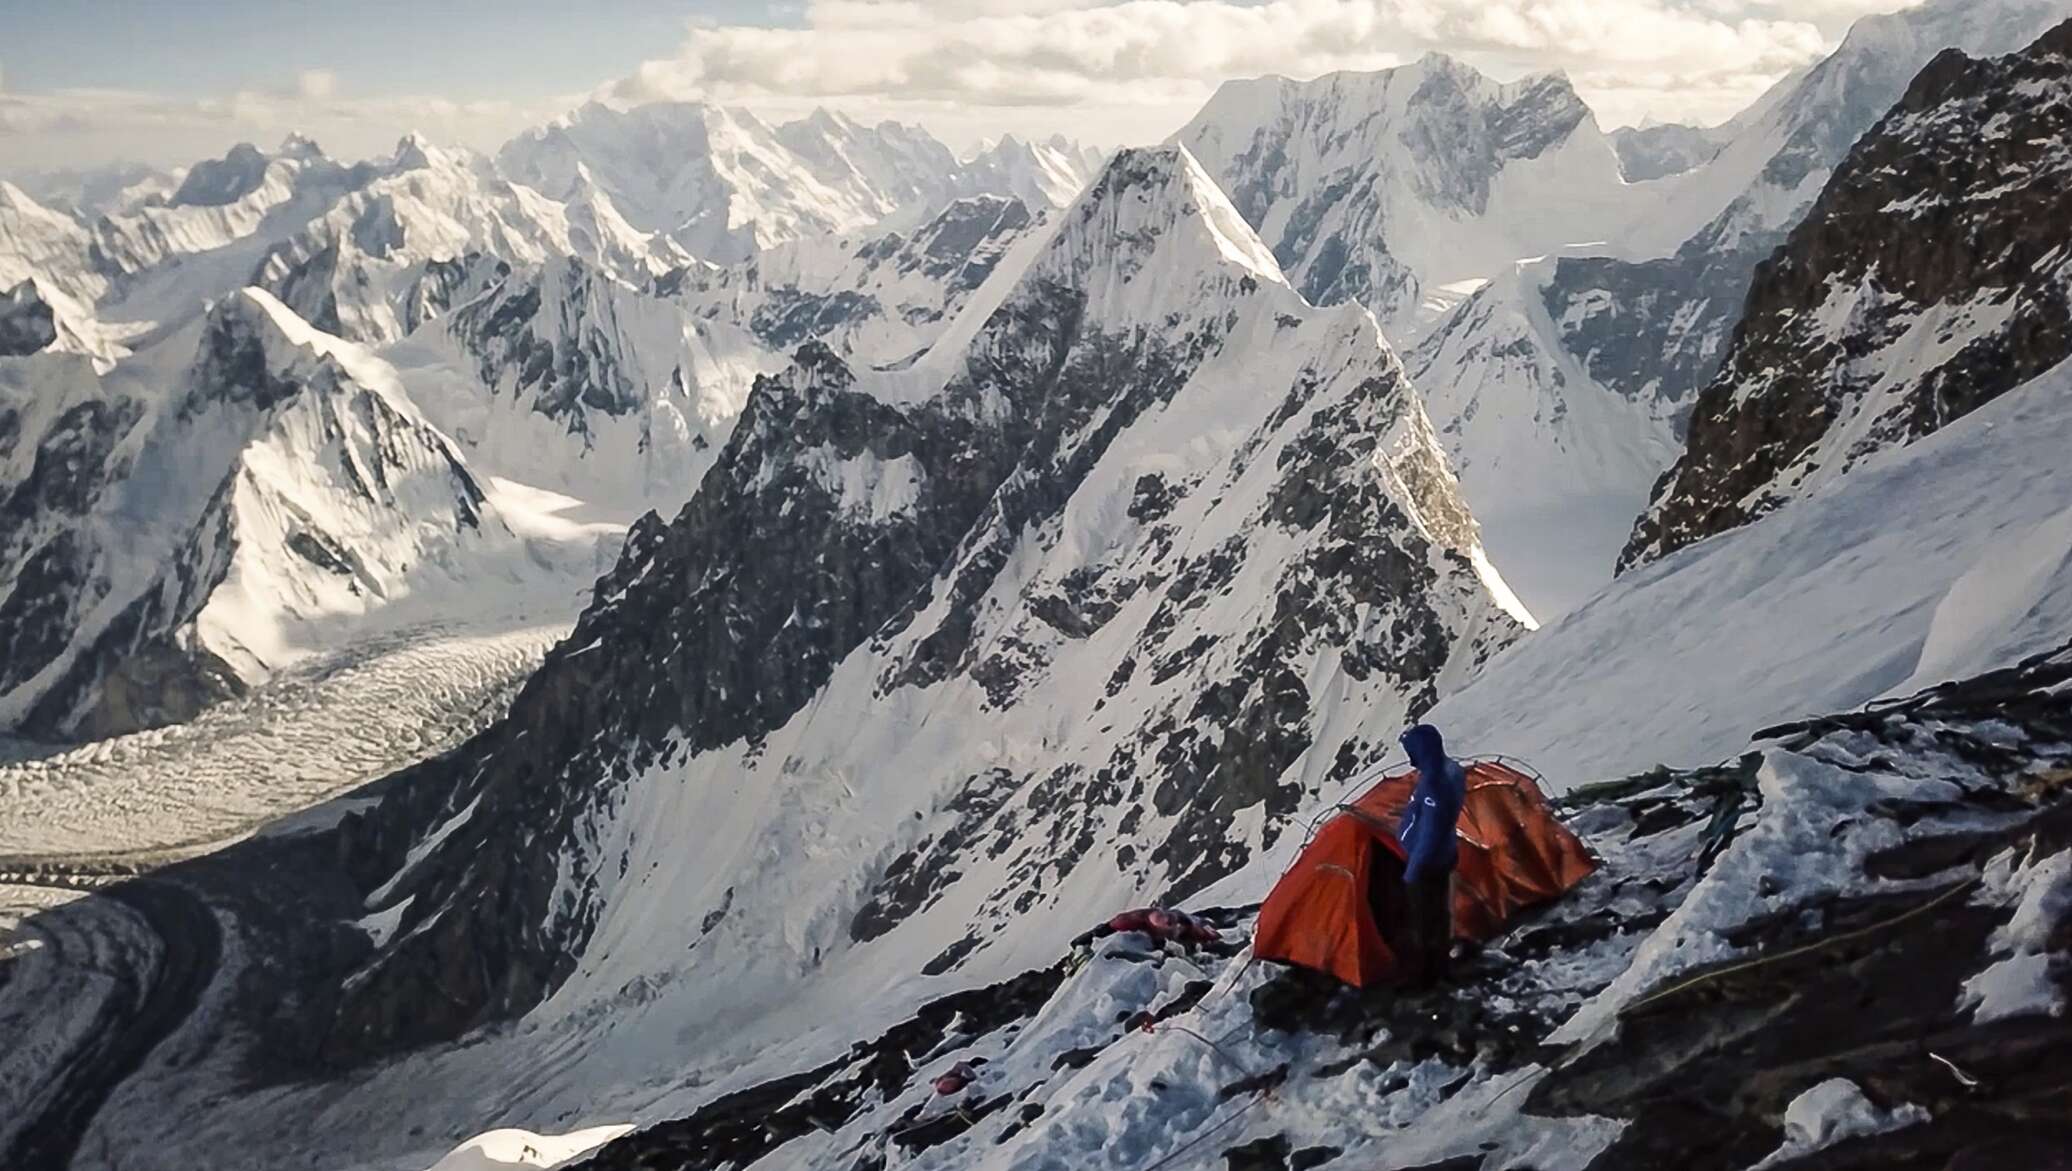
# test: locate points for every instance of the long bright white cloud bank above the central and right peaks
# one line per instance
(1644, 57)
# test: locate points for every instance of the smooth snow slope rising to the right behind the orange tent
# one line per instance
(1928, 563)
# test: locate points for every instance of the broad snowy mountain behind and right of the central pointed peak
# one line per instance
(1404, 190)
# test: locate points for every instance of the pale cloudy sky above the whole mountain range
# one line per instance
(169, 82)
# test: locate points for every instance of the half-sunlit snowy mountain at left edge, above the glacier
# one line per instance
(179, 534)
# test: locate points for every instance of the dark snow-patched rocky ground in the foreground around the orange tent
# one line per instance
(1891, 1004)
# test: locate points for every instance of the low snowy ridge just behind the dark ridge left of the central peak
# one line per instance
(873, 297)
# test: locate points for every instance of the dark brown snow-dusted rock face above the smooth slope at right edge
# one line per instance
(1928, 281)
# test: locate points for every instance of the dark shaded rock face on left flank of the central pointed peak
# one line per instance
(701, 623)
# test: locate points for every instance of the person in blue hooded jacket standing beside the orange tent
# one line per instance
(1429, 842)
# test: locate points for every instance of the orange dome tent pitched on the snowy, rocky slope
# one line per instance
(1342, 901)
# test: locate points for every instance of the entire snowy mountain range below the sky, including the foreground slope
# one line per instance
(954, 552)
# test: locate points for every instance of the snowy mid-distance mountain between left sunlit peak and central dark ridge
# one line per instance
(573, 380)
